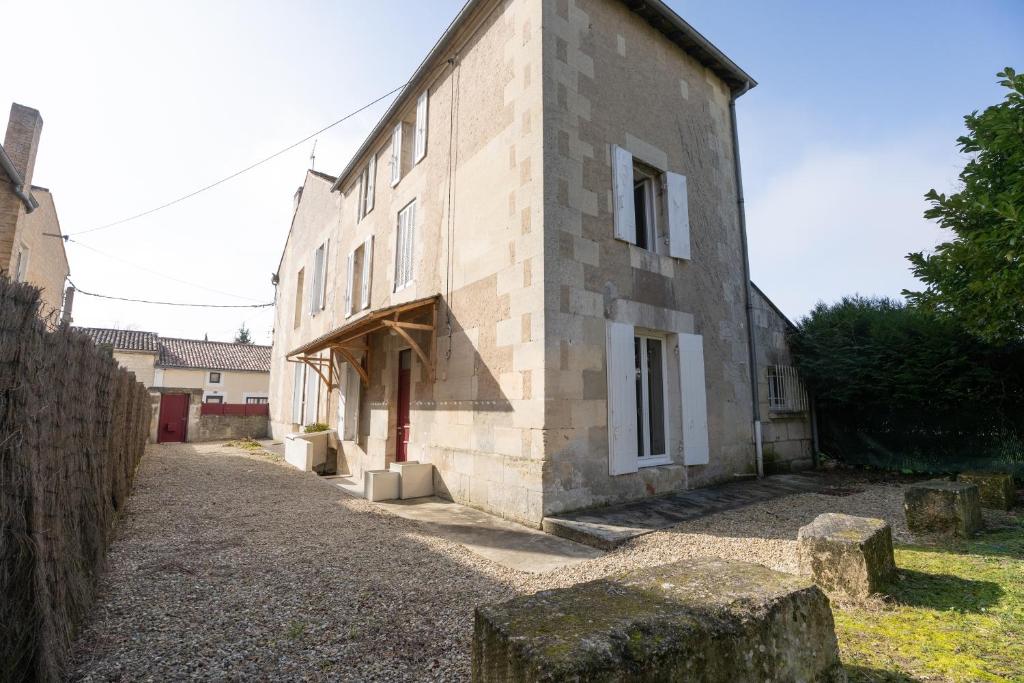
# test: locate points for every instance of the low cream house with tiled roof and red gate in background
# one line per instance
(187, 375)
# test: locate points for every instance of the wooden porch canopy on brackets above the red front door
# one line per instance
(352, 341)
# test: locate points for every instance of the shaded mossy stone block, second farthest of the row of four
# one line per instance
(953, 508)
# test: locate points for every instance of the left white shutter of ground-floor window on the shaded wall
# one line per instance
(622, 400)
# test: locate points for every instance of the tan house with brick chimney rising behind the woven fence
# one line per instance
(31, 248)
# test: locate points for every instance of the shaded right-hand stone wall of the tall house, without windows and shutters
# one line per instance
(614, 79)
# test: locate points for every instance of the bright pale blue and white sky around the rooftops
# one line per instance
(856, 117)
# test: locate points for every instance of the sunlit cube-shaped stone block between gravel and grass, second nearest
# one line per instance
(846, 556)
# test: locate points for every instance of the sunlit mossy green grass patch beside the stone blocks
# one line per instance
(957, 614)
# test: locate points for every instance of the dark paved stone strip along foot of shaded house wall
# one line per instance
(610, 528)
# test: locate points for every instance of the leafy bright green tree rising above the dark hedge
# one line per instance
(978, 276)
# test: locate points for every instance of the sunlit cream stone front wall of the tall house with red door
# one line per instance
(481, 421)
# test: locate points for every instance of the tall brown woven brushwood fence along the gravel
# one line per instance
(73, 429)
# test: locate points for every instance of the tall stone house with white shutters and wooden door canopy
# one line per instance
(533, 274)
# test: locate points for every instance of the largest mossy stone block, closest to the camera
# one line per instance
(706, 620)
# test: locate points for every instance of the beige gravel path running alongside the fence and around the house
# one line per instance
(229, 566)
